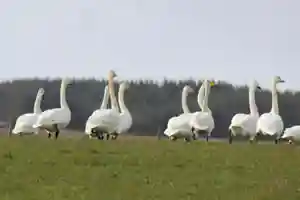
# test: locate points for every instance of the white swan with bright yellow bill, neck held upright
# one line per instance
(203, 122)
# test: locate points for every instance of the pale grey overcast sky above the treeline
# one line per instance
(233, 40)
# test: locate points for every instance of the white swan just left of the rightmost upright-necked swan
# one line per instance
(245, 124)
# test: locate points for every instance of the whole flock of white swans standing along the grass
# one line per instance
(109, 123)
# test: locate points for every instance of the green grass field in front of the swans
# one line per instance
(144, 169)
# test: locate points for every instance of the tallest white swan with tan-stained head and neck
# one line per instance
(106, 120)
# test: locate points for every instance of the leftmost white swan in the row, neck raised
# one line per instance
(24, 122)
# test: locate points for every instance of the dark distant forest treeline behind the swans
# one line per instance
(150, 104)
